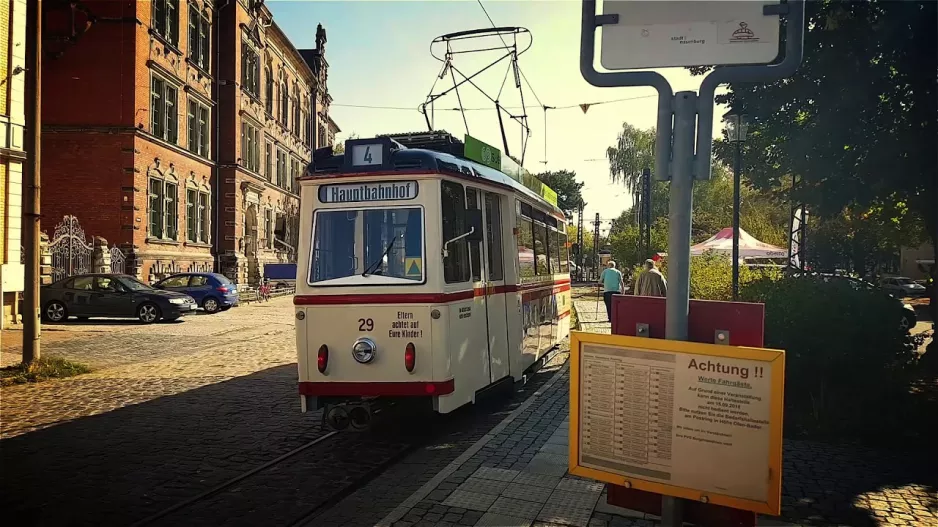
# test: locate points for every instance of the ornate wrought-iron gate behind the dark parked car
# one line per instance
(72, 253)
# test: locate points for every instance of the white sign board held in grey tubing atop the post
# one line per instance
(664, 33)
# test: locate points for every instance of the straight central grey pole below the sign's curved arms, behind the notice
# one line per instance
(679, 223)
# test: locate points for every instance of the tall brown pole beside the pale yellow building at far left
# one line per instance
(31, 210)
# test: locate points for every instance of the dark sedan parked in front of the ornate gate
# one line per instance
(111, 295)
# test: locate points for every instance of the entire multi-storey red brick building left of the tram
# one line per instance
(156, 124)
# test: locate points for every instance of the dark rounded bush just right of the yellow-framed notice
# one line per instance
(845, 356)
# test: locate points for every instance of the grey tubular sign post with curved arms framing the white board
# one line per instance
(742, 39)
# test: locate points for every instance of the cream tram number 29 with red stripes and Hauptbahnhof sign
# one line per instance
(423, 273)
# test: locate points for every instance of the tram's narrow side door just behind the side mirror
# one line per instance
(489, 270)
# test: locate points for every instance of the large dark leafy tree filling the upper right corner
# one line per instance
(856, 121)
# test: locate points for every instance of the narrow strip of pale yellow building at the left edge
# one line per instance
(12, 155)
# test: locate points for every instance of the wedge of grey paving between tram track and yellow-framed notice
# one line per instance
(491, 485)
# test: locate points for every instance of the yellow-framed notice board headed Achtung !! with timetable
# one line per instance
(696, 421)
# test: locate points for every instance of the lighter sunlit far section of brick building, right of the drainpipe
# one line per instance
(269, 125)
